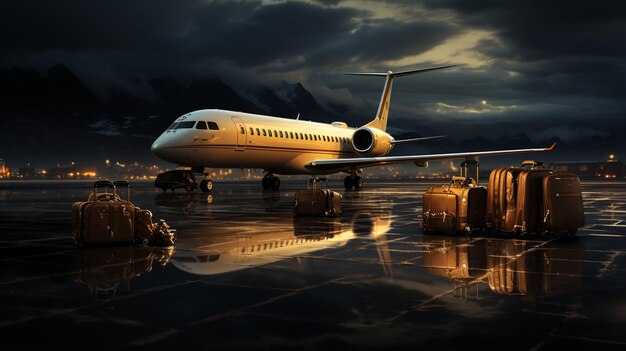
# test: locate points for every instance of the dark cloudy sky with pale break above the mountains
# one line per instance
(544, 68)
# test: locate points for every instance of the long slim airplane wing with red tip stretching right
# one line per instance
(341, 164)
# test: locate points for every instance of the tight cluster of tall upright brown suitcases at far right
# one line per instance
(532, 199)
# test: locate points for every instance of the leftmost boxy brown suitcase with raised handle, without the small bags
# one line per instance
(108, 220)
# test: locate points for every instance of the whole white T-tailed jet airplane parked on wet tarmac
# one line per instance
(216, 138)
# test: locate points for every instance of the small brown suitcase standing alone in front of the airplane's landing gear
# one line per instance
(317, 200)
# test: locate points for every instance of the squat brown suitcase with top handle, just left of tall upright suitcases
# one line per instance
(459, 206)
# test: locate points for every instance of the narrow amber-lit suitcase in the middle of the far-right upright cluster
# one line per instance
(529, 198)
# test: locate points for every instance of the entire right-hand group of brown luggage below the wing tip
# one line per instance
(526, 199)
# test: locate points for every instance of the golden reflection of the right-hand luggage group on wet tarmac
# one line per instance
(514, 267)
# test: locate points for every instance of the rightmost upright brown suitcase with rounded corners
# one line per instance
(562, 202)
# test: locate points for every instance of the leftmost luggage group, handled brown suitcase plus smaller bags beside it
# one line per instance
(106, 219)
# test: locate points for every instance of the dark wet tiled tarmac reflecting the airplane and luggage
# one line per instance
(246, 273)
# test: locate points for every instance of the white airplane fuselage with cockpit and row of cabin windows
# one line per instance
(243, 140)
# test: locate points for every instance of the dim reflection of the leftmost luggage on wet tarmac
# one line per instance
(105, 270)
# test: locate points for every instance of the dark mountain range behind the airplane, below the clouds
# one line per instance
(53, 117)
